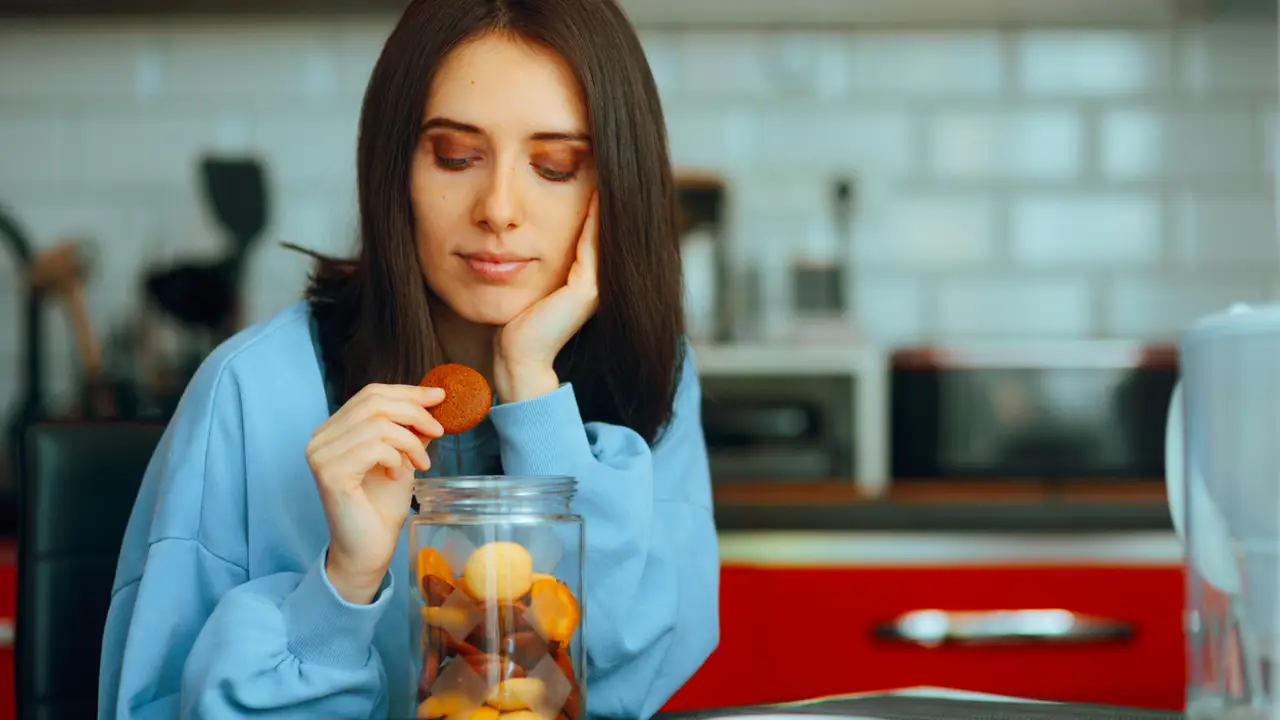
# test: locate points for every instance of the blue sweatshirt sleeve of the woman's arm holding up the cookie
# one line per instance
(189, 632)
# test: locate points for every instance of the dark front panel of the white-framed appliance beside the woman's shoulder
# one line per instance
(779, 430)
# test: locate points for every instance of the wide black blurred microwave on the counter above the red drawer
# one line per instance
(1055, 412)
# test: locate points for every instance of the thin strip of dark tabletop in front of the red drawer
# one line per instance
(907, 708)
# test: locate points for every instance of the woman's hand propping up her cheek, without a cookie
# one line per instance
(527, 348)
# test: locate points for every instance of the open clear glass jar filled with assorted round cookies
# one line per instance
(497, 610)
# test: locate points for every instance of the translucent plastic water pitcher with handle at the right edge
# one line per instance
(1224, 495)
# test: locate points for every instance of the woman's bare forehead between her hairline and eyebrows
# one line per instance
(500, 84)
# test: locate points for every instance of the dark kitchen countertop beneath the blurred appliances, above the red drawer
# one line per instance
(950, 507)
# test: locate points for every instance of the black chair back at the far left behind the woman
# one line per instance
(76, 502)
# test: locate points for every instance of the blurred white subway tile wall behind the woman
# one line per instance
(1009, 184)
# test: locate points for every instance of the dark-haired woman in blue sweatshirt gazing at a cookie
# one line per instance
(502, 145)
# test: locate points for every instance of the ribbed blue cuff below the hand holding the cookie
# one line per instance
(326, 630)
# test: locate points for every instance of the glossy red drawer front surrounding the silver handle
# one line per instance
(794, 634)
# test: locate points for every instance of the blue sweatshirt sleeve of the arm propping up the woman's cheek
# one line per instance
(652, 563)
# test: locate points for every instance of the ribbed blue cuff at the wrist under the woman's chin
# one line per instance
(542, 436)
